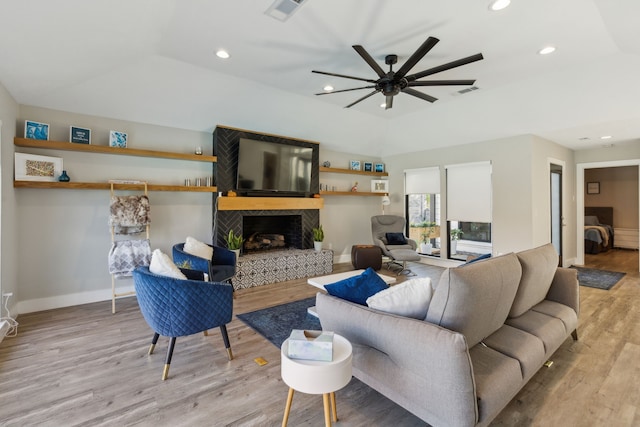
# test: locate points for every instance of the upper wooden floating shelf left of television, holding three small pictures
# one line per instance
(103, 149)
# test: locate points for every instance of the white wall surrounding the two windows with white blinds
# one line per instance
(519, 178)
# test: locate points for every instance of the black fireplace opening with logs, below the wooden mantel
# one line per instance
(267, 232)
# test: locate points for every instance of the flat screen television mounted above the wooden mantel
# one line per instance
(273, 169)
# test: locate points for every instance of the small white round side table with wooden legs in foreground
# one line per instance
(316, 377)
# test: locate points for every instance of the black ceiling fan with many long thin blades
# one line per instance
(393, 82)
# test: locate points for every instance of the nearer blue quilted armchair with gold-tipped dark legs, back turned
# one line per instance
(177, 308)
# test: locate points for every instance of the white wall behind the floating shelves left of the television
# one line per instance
(64, 237)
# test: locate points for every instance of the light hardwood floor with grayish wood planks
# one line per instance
(82, 366)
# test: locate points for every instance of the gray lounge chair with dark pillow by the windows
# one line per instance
(398, 253)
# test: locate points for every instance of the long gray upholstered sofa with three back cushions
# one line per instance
(490, 326)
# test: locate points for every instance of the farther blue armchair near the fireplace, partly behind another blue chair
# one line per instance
(221, 268)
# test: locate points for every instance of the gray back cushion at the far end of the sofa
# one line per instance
(538, 268)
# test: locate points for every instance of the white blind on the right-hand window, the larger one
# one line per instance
(469, 192)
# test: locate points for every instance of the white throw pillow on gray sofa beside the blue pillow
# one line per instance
(410, 298)
